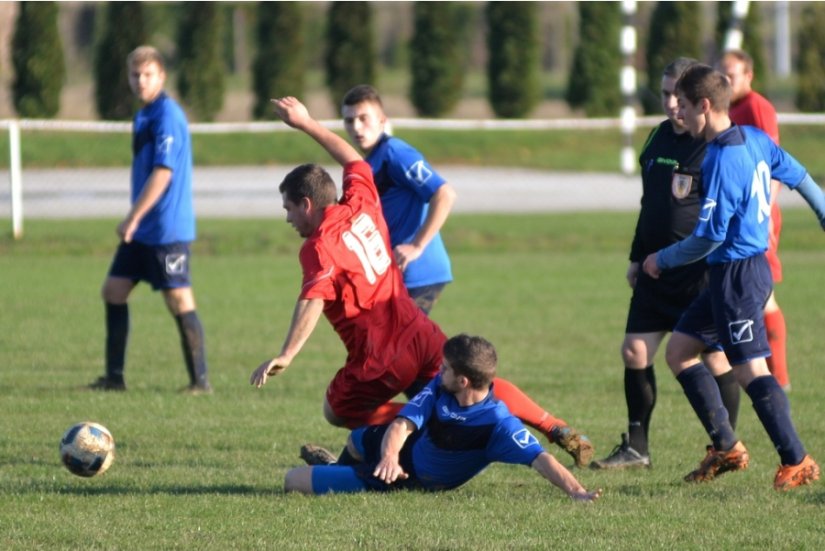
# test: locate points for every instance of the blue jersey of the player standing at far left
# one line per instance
(160, 138)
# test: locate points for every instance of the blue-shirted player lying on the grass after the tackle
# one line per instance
(442, 438)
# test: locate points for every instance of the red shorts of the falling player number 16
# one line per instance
(352, 398)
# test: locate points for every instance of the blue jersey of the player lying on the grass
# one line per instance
(455, 443)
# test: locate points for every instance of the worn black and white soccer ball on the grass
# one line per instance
(87, 449)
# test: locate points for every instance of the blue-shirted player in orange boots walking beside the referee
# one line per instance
(732, 234)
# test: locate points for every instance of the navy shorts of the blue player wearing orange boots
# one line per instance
(730, 311)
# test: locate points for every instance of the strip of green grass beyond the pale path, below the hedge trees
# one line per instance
(568, 150)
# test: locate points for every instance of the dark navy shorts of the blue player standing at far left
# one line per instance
(162, 266)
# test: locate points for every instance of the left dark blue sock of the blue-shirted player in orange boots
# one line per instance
(703, 394)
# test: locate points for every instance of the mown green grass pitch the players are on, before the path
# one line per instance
(206, 472)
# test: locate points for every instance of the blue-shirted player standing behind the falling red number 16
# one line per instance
(415, 198)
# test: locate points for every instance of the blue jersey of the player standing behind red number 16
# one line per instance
(406, 182)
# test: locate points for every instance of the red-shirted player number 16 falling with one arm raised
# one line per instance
(349, 276)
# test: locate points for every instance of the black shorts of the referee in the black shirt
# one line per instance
(656, 307)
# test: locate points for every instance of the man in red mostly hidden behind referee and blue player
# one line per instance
(748, 107)
